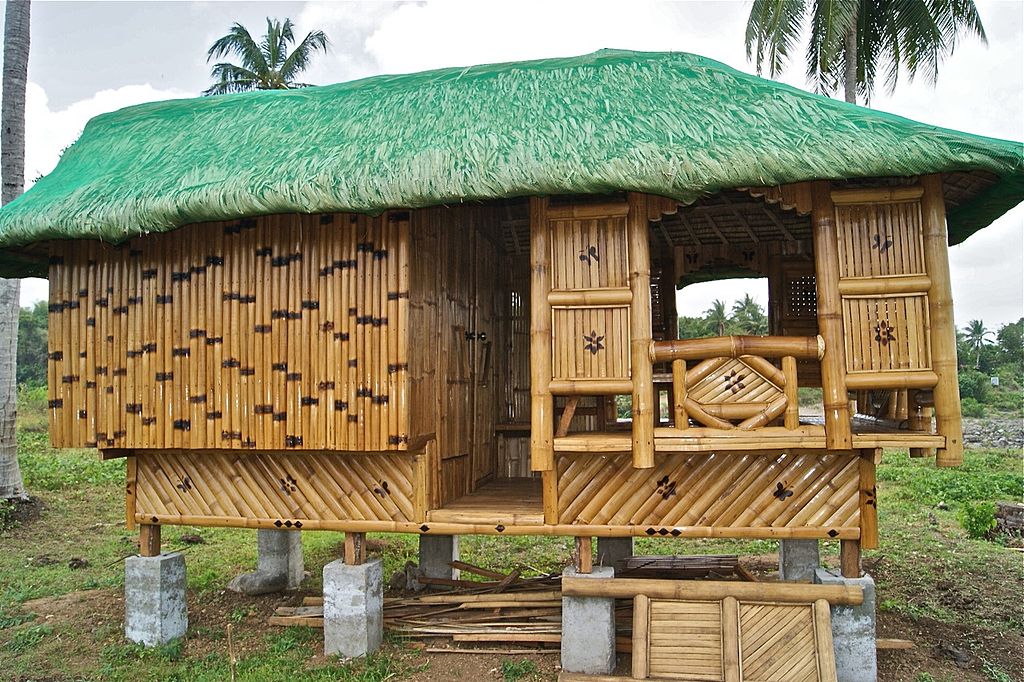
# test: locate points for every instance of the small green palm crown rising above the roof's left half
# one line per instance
(266, 66)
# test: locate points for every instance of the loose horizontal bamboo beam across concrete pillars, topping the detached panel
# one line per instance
(624, 588)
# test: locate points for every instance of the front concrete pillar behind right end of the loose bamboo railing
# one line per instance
(854, 630)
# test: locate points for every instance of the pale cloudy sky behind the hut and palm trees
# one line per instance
(92, 58)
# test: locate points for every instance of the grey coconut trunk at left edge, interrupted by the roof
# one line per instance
(16, 76)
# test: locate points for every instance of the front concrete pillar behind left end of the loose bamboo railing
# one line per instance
(589, 629)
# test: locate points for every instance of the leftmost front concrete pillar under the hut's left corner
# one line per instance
(155, 599)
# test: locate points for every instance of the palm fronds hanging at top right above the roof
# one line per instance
(851, 40)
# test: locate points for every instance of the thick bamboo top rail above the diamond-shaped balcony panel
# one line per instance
(803, 348)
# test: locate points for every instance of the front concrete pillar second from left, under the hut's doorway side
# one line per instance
(354, 608)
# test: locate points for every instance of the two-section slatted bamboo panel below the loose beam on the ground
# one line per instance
(746, 642)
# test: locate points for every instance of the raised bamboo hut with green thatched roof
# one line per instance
(407, 304)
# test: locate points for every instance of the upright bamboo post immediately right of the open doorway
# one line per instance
(542, 409)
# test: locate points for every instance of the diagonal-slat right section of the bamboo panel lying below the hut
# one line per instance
(778, 644)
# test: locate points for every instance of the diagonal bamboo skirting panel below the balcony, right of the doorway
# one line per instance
(747, 491)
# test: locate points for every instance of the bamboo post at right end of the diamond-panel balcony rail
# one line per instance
(837, 405)
